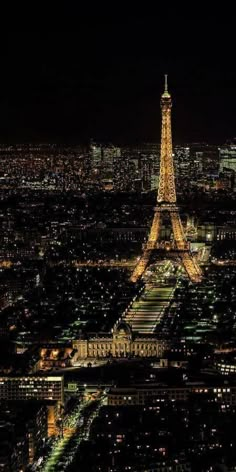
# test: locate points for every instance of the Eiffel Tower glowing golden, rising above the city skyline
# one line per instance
(166, 207)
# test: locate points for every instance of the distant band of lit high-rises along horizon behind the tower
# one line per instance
(110, 167)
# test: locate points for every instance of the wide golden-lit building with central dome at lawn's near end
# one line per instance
(120, 343)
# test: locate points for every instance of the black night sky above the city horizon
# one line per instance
(102, 77)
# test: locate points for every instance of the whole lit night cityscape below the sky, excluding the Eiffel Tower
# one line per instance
(73, 221)
